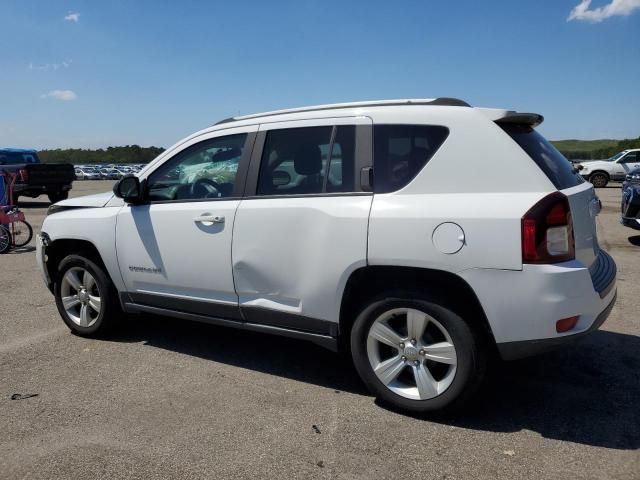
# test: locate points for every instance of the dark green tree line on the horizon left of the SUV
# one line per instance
(80, 156)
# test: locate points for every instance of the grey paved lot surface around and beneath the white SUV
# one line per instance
(169, 399)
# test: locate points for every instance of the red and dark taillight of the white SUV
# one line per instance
(547, 231)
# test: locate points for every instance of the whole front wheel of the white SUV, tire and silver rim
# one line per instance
(71, 283)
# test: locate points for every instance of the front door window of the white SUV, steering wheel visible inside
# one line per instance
(205, 170)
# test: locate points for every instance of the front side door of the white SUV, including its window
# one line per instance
(174, 251)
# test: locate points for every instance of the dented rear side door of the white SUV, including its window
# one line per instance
(302, 227)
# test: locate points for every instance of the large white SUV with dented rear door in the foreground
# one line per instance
(418, 235)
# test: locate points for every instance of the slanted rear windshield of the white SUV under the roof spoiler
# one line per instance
(555, 166)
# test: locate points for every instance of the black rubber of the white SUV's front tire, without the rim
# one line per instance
(110, 311)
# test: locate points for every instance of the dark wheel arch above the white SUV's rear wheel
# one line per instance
(367, 283)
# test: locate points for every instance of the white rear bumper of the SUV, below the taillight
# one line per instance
(522, 307)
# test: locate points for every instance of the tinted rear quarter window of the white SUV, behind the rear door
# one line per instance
(401, 151)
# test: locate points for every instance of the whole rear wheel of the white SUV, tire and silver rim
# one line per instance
(448, 376)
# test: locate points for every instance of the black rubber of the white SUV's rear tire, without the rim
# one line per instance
(469, 344)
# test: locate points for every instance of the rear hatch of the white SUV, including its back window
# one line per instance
(583, 201)
